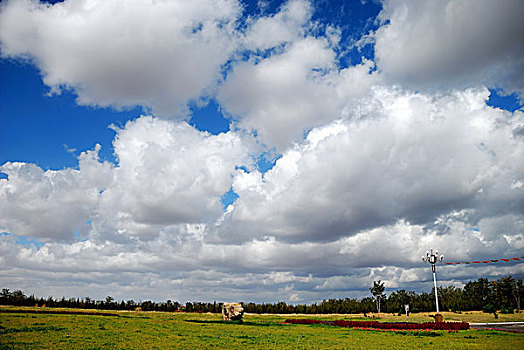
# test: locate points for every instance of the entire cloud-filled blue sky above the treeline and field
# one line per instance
(306, 138)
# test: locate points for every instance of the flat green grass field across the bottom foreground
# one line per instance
(150, 330)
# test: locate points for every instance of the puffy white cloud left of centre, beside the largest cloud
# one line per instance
(168, 174)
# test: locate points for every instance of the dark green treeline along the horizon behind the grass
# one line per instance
(504, 294)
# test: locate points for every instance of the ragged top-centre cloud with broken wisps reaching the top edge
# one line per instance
(297, 86)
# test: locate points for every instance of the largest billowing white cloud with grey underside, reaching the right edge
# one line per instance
(413, 156)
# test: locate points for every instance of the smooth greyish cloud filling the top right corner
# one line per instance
(452, 43)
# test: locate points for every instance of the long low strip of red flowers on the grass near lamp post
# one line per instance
(448, 326)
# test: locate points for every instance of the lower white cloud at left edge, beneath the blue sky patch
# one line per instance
(52, 204)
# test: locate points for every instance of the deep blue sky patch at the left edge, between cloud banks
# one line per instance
(40, 129)
